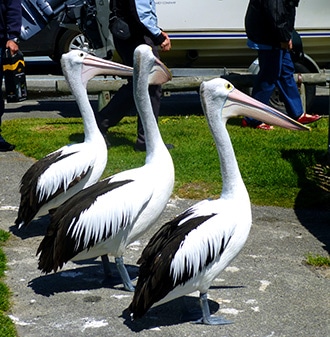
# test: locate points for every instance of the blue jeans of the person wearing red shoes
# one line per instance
(277, 69)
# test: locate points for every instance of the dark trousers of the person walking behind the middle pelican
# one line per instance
(123, 100)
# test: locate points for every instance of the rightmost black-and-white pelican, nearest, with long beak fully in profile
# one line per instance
(189, 252)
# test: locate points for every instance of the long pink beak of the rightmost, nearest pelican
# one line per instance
(239, 104)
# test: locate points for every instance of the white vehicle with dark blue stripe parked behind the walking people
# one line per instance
(211, 32)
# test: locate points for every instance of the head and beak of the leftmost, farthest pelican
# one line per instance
(90, 66)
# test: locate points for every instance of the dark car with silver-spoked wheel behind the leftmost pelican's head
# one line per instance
(50, 27)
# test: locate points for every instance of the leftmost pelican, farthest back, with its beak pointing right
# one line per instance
(62, 173)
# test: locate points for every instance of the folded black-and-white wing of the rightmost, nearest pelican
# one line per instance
(157, 276)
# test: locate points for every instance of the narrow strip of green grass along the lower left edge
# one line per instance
(7, 328)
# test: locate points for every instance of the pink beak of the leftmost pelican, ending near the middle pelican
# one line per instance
(93, 66)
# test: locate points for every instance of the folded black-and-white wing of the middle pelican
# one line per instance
(92, 216)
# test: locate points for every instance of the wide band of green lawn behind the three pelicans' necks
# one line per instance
(273, 164)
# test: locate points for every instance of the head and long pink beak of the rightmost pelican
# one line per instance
(220, 95)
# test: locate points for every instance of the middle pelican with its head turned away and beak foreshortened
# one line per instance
(107, 216)
